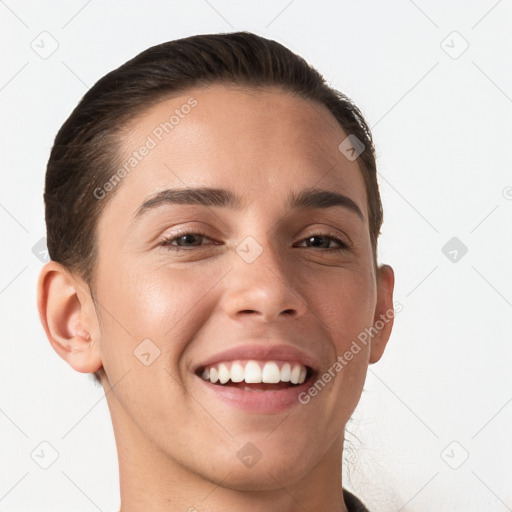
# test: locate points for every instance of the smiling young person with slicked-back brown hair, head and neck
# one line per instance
(212, 213)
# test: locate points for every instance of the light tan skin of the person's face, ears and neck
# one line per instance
(176, 450)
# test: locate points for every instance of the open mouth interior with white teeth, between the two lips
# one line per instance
(254, 375)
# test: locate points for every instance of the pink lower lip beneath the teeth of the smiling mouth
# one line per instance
(263, 402)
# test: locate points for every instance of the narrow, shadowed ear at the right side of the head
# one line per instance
(384, 312)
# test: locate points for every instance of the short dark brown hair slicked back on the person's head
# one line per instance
(86, 152)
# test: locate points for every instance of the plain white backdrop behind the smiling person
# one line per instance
(433, 78)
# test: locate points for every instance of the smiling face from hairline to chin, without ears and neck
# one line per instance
(251, 278)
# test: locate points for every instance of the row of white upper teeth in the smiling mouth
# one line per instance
(254, 372)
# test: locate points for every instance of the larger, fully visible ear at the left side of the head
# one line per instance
(67, 312)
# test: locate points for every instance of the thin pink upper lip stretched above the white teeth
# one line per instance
(273, 352)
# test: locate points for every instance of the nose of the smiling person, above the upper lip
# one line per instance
(264, 289)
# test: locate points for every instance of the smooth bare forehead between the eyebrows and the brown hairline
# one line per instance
(258, 142)
